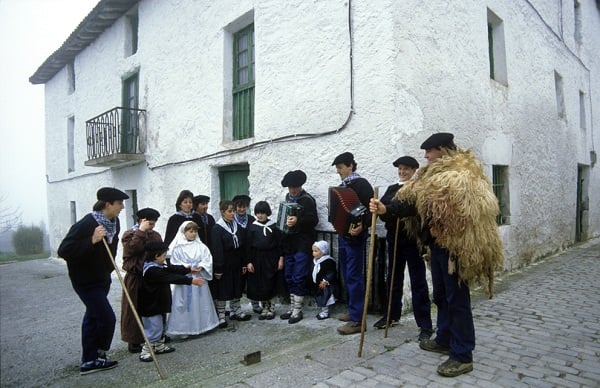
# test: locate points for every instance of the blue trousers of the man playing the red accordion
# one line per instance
(352, 264)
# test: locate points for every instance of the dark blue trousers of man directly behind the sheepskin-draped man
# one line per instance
(407, 252)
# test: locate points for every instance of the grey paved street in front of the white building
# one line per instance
(541, 329)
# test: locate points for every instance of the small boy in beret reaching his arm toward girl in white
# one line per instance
(155, 295)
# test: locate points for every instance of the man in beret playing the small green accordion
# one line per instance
(297, 244)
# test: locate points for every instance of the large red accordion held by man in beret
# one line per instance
(345, 209)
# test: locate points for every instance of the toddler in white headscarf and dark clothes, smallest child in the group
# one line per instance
(324, 277)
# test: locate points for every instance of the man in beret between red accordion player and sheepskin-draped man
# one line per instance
(407, 252)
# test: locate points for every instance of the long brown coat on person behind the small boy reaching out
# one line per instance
(133, 263)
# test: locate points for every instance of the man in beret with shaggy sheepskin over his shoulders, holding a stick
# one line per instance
(457, 207)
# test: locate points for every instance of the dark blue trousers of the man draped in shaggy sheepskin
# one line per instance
(455, 327)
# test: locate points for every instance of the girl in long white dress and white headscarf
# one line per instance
(193, 311)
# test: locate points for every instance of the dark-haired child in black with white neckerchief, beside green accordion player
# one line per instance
(265, 260)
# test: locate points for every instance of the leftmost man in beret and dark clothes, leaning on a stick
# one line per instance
(90, 266)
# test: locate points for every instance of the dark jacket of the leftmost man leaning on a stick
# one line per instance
(87, 263)
